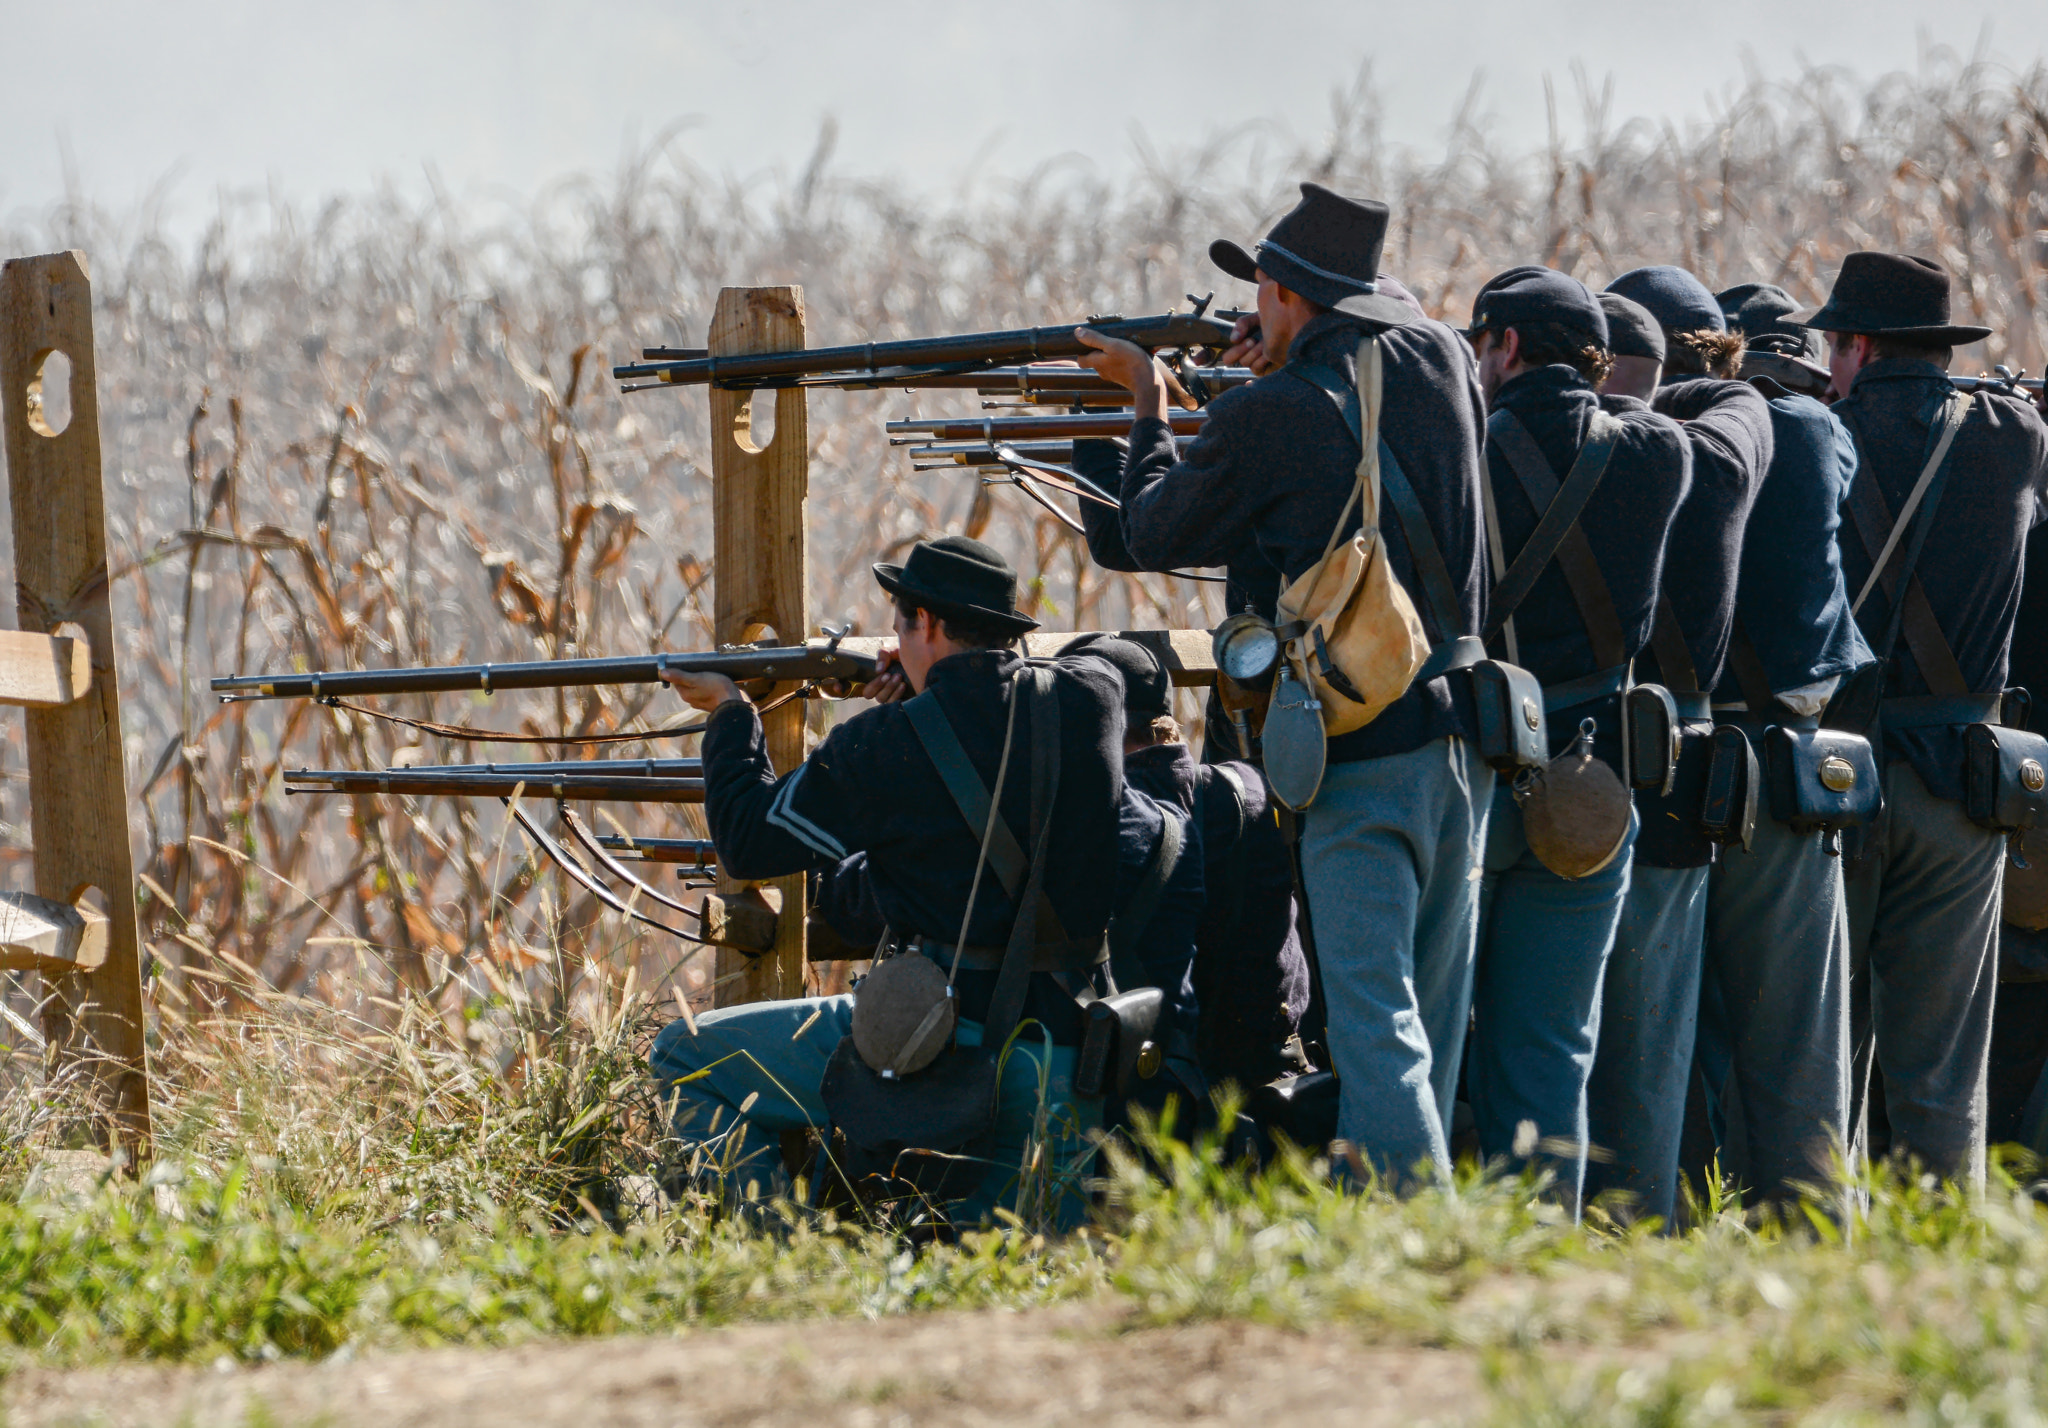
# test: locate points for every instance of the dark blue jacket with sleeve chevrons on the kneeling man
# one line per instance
(871, 788)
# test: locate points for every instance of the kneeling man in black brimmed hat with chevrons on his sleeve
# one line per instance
(742, 1077)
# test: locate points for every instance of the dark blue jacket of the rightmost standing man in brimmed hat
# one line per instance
(1975, 548)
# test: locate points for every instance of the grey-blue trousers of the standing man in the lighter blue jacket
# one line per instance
(1775, 1040)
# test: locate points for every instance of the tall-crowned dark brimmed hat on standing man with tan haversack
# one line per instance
(1326, 249)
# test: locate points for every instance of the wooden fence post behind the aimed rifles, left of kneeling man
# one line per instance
(761, 575)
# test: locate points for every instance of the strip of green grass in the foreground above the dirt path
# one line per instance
(1926, 1308)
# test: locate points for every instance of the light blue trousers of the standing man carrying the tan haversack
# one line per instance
(1390, 855)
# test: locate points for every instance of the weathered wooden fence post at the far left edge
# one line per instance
(77, 780)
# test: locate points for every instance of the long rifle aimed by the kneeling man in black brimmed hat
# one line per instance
(812, 661)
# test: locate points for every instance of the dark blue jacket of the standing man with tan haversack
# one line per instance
(1275, 466)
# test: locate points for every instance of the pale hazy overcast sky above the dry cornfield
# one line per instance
(505, 95)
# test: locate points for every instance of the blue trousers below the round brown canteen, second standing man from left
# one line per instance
(1543, 956)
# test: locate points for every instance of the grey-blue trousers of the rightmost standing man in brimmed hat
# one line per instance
(1924, 964)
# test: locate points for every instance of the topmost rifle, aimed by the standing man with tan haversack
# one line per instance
(886, 364)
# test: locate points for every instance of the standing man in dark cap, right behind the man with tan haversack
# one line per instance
(1545, 939)
